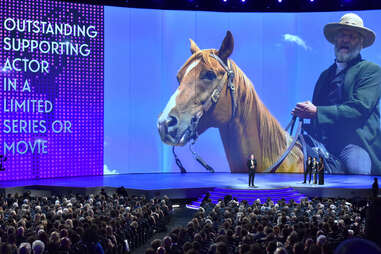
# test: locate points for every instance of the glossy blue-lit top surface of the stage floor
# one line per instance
(163, 181)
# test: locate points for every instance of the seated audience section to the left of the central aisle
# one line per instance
(101, 223)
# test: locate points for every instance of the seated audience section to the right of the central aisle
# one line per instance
(315, 226)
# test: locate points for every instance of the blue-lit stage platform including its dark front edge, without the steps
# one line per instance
(193, 185)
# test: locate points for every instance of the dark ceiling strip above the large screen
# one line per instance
(244, 5)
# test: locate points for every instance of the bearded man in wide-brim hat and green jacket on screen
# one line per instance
(345, 110)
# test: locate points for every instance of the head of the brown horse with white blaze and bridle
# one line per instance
(196, 104)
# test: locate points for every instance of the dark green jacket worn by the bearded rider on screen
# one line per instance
(357, 119)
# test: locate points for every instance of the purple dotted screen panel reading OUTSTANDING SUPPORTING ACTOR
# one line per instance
(51, 117)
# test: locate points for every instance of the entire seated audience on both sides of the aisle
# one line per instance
(116, 223)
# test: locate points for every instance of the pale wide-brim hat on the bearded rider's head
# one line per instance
(350, 21)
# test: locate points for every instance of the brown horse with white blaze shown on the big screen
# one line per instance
(252, 129)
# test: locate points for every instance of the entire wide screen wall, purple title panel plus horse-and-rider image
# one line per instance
(92, 90)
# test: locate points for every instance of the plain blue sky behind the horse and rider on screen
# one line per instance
(145, 48)
